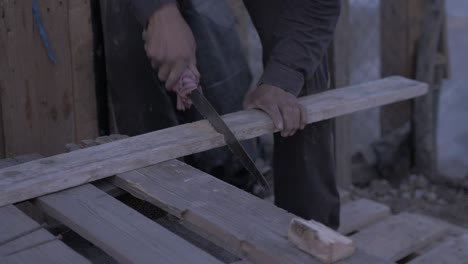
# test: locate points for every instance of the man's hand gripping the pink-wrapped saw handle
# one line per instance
(170, 45)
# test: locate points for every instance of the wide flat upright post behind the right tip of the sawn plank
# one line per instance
(400, 31)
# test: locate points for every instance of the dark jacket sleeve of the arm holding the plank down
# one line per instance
(303, 33)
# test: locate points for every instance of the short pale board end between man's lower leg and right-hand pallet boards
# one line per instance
(361, 213)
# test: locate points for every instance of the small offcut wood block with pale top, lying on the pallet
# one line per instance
(319, 240)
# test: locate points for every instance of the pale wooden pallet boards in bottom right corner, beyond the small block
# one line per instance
(405, 237)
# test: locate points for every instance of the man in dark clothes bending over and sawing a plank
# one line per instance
(295, 35)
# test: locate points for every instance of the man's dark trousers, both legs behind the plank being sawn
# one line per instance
(303, 165)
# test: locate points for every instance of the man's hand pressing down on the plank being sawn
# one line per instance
(284, 108)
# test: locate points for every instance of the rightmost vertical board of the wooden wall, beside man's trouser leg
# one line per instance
(82, 63)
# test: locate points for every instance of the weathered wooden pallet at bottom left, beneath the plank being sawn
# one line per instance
(238, 222)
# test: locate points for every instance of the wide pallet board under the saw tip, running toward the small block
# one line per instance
(248, 227)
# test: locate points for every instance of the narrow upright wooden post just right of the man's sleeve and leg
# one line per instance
(340, 78)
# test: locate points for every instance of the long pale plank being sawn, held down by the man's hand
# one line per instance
(67, 170)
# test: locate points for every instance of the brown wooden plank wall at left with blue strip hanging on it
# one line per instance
(45, 106)
